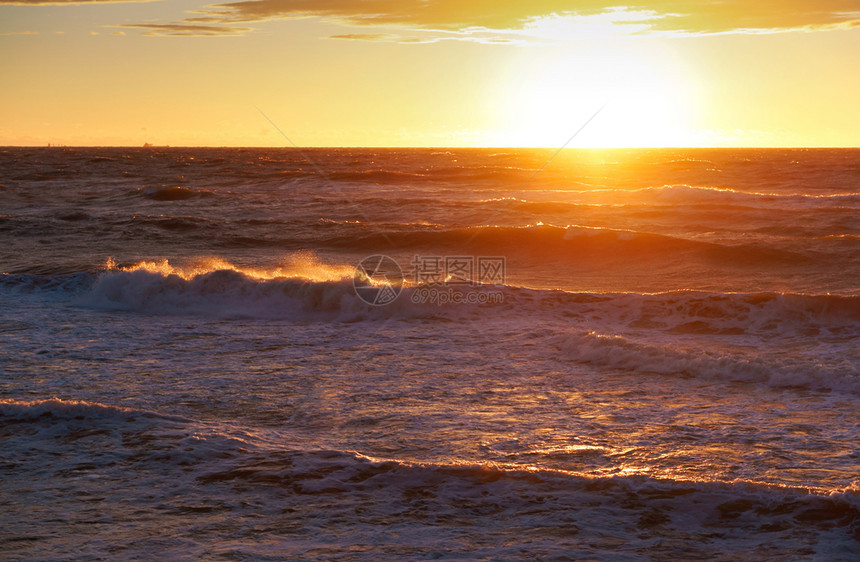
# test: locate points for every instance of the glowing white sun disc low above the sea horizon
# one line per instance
(646, 95)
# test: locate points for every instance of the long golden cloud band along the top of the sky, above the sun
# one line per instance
(509, 21)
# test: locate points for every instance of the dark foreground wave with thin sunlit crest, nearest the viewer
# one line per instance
(190, 479)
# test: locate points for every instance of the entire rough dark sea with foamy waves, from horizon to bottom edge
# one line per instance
(666, 366)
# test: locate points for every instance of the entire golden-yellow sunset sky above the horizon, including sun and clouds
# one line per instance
(430, 72)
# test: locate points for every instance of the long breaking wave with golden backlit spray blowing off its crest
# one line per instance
(303, 284)
